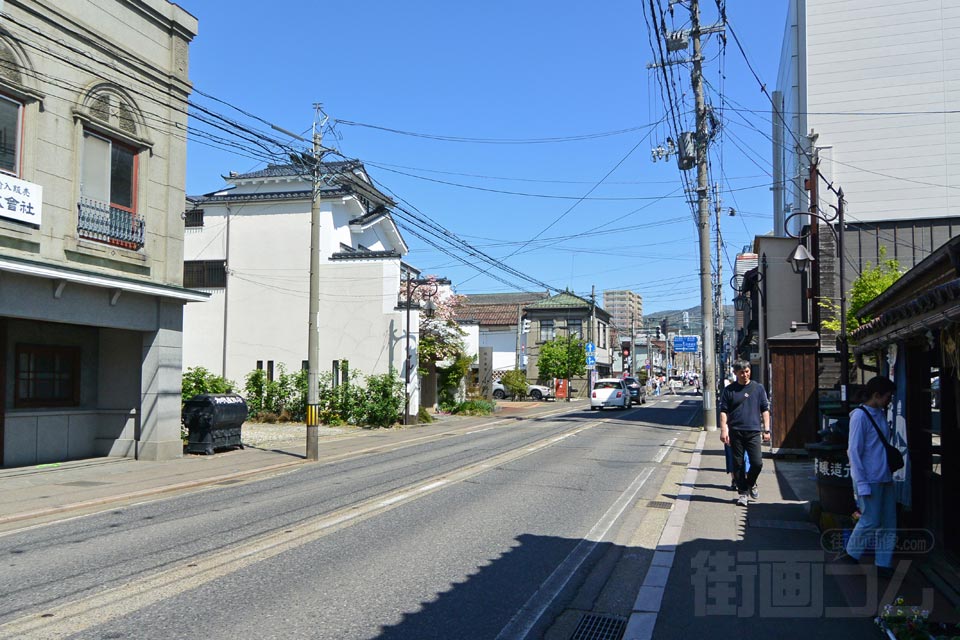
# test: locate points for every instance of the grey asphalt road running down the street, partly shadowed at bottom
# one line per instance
(493, 532)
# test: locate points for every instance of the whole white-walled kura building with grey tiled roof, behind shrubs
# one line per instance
(248, 246)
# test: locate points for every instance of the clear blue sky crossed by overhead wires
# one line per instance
(519, 71)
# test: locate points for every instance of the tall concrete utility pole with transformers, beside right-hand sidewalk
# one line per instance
(703, 227)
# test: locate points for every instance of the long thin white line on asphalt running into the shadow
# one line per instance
(526, 618)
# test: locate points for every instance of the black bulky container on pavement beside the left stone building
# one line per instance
(214, 421)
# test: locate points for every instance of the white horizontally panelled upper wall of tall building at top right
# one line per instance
(879, 55)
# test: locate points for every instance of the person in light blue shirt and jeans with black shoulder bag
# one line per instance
(872, 478)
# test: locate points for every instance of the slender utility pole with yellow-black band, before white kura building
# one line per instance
(313, 336)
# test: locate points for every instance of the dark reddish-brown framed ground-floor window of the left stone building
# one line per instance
(47, 376)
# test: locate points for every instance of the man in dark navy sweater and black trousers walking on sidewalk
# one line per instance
(744, 423)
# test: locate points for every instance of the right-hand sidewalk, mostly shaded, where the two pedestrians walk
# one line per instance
(728, 571)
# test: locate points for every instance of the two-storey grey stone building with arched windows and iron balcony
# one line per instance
(93, 110)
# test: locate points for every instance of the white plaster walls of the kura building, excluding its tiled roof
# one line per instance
(267, 297)
